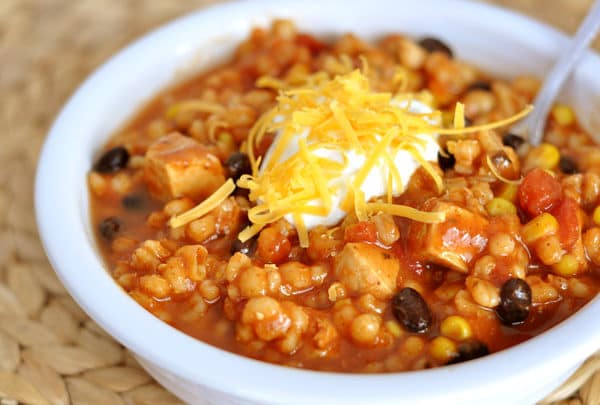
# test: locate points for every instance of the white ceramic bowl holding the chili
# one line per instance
(498, 41)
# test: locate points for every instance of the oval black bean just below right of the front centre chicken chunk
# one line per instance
(411, 310)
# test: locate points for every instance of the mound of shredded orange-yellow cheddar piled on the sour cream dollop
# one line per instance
(340, 114)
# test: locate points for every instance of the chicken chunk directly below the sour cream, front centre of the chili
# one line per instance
(367, 269)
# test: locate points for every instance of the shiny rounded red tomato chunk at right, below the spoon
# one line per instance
(539, 192)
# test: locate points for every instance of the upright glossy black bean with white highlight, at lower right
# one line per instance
(515, 302)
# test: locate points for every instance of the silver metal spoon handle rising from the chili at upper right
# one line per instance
(560, 72)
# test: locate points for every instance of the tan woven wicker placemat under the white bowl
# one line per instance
(50, 351)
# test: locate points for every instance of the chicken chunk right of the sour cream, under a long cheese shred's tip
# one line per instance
(453, 243)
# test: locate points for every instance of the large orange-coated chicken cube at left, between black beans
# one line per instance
(178, 166)
